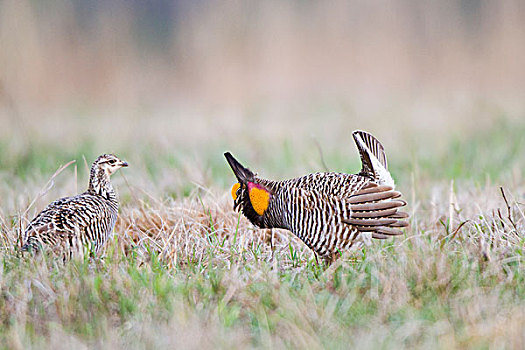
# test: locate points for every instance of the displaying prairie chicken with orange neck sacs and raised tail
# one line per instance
(327, 211)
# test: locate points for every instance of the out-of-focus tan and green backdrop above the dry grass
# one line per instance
(267, 80)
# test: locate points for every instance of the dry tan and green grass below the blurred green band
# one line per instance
(185, 270)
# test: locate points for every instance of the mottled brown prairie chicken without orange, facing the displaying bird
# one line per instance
(72, 226)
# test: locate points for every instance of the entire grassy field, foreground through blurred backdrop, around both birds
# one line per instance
(170, 85)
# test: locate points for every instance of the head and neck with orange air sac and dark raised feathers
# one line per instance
(248, 193)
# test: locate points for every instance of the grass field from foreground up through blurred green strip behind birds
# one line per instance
(185, 270)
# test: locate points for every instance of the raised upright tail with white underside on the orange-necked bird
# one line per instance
(373, 158)
